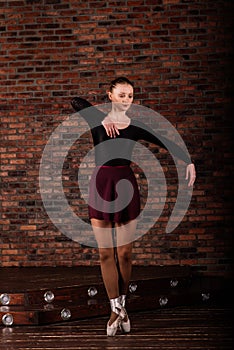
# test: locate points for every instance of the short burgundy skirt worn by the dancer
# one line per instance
(111, 199)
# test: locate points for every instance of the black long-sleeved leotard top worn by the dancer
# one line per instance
(118, 151)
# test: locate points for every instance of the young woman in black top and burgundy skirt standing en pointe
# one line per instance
(113, 164)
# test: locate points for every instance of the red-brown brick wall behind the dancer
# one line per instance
(178, 53)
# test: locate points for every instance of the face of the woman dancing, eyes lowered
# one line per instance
(122, 95)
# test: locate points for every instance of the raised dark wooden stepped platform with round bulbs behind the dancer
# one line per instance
(70, 287)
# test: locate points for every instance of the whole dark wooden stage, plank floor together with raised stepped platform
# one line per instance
(169, 307)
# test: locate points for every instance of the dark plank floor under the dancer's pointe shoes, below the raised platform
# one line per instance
(182, 328)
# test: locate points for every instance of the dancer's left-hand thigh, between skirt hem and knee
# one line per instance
(103, 232)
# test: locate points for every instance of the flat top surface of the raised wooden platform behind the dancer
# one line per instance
(16, 280)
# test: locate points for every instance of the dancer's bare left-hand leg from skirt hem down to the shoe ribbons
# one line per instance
(103, 233)
